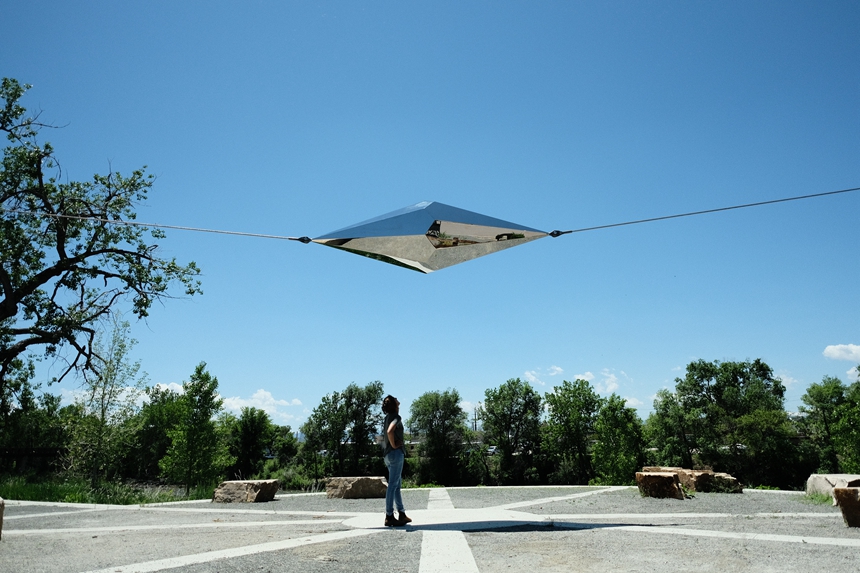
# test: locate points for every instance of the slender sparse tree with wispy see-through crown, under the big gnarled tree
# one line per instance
(101, 439)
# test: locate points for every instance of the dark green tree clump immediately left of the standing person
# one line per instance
(339, 433)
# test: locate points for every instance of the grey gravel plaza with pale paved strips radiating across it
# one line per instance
(484, 529)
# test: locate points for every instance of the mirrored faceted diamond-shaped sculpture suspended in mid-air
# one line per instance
(429, 236)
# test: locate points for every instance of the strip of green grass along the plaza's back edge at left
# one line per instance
(79, 491)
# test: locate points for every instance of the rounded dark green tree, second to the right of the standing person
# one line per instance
(511, 417)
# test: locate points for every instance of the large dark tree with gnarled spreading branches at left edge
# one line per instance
(66, 263)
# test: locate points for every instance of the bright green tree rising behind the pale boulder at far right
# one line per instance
(821, 402)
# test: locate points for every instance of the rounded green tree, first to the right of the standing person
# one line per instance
(440, 421)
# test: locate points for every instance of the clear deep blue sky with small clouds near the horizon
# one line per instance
(299, 118)
